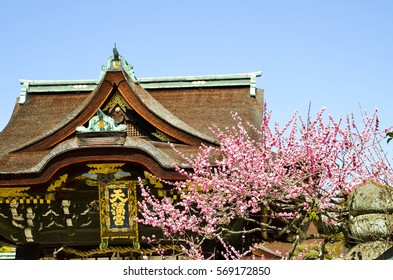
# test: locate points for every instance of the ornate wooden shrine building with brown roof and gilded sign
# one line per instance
(72, 153)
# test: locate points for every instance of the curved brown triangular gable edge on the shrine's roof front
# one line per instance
(138, 98)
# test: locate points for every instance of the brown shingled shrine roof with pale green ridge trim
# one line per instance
(43, 124)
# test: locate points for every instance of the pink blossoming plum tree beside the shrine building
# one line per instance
(275, 184)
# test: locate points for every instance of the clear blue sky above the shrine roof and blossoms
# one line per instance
(333, 53)
